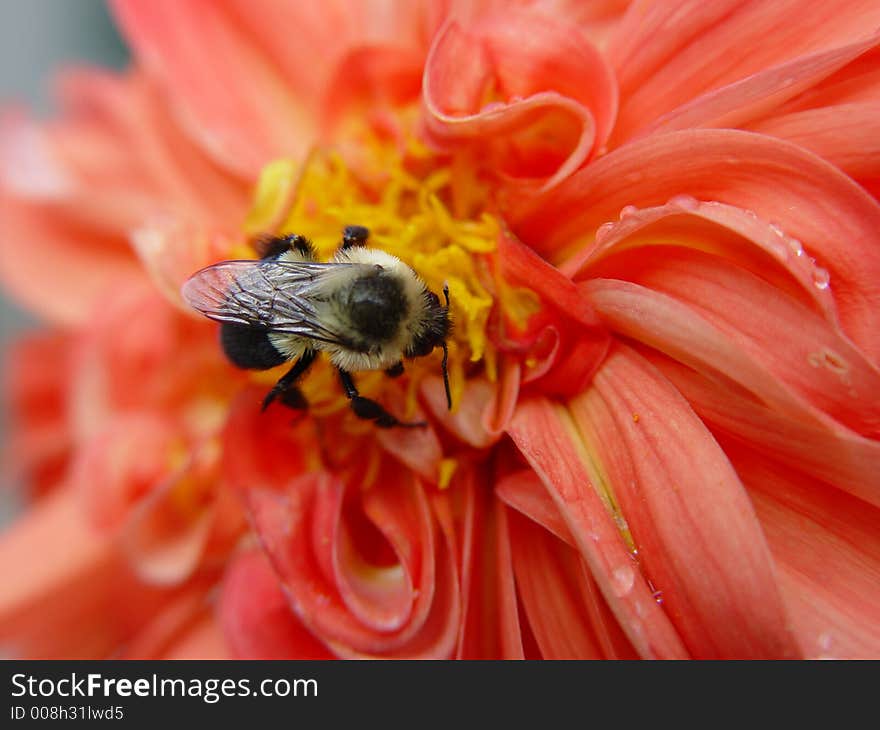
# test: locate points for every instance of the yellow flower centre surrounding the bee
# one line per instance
(428, 211)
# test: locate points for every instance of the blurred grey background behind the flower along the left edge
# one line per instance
(37, 37)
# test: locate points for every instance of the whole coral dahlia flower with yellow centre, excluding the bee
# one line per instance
(659, 226)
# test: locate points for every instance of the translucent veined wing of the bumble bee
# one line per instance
(272, 295)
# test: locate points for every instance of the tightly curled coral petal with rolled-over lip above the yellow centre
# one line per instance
(545, 105)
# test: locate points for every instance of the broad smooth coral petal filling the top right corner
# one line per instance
(669, 53)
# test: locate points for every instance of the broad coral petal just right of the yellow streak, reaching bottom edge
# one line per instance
(697, 537)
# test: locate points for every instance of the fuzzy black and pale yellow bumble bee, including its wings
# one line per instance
(366, 309)
